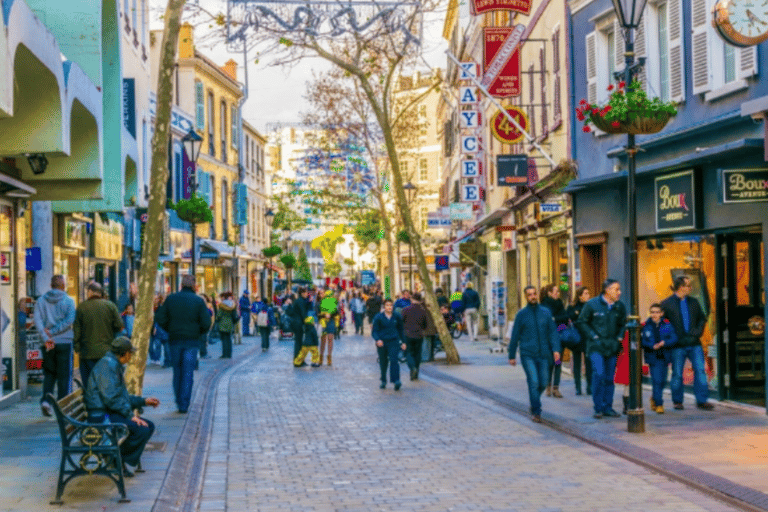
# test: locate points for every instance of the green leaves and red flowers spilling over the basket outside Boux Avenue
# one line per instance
(625, 105)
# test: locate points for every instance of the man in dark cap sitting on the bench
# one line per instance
(107, 399)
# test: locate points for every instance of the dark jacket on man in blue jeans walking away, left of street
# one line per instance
(184, 316)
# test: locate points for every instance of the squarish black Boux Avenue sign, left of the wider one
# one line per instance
(675, 202)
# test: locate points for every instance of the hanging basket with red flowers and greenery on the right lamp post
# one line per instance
(629, 110)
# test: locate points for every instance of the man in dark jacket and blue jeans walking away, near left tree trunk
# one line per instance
(185, 318)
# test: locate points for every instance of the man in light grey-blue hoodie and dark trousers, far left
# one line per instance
(54, 315)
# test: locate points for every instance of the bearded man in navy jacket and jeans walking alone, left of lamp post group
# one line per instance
(534, 331)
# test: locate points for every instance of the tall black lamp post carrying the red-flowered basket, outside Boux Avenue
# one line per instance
(629, 14)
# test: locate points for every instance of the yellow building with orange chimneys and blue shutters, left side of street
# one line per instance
(213, 94)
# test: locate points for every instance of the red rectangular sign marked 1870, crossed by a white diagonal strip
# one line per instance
(501, 60)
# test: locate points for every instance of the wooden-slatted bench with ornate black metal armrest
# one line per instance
(87, 448)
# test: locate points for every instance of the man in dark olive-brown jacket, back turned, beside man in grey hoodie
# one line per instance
(97, 322)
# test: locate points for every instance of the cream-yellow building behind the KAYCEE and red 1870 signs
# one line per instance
(517, 241)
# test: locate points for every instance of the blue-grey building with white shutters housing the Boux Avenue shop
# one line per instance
(701, 187)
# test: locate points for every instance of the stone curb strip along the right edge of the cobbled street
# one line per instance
(714, 486)
